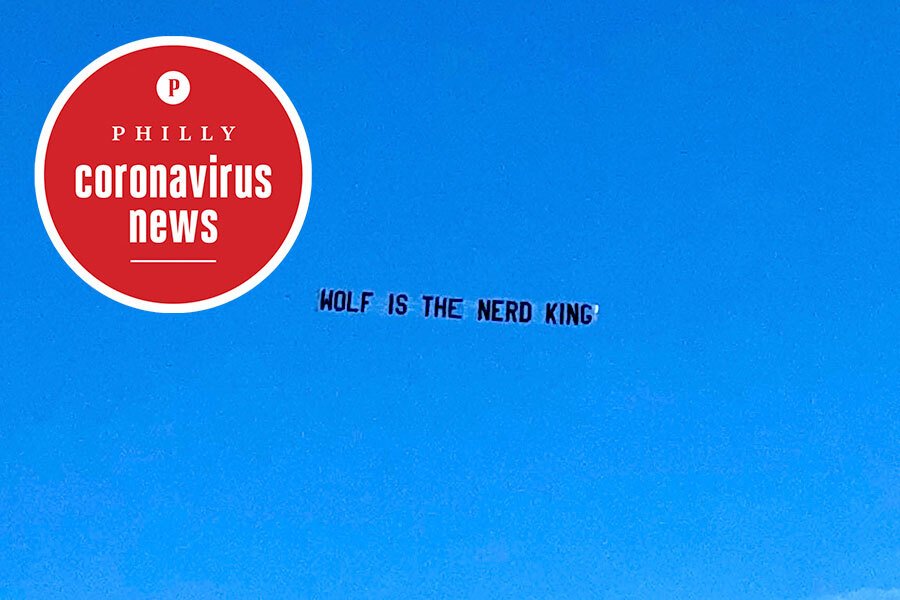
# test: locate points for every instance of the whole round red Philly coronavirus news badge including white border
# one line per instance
(173, 174)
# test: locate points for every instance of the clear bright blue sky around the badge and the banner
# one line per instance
(720, 178)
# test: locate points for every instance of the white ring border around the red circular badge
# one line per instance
(197, 305)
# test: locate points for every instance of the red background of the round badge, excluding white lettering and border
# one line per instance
(223, 92)
